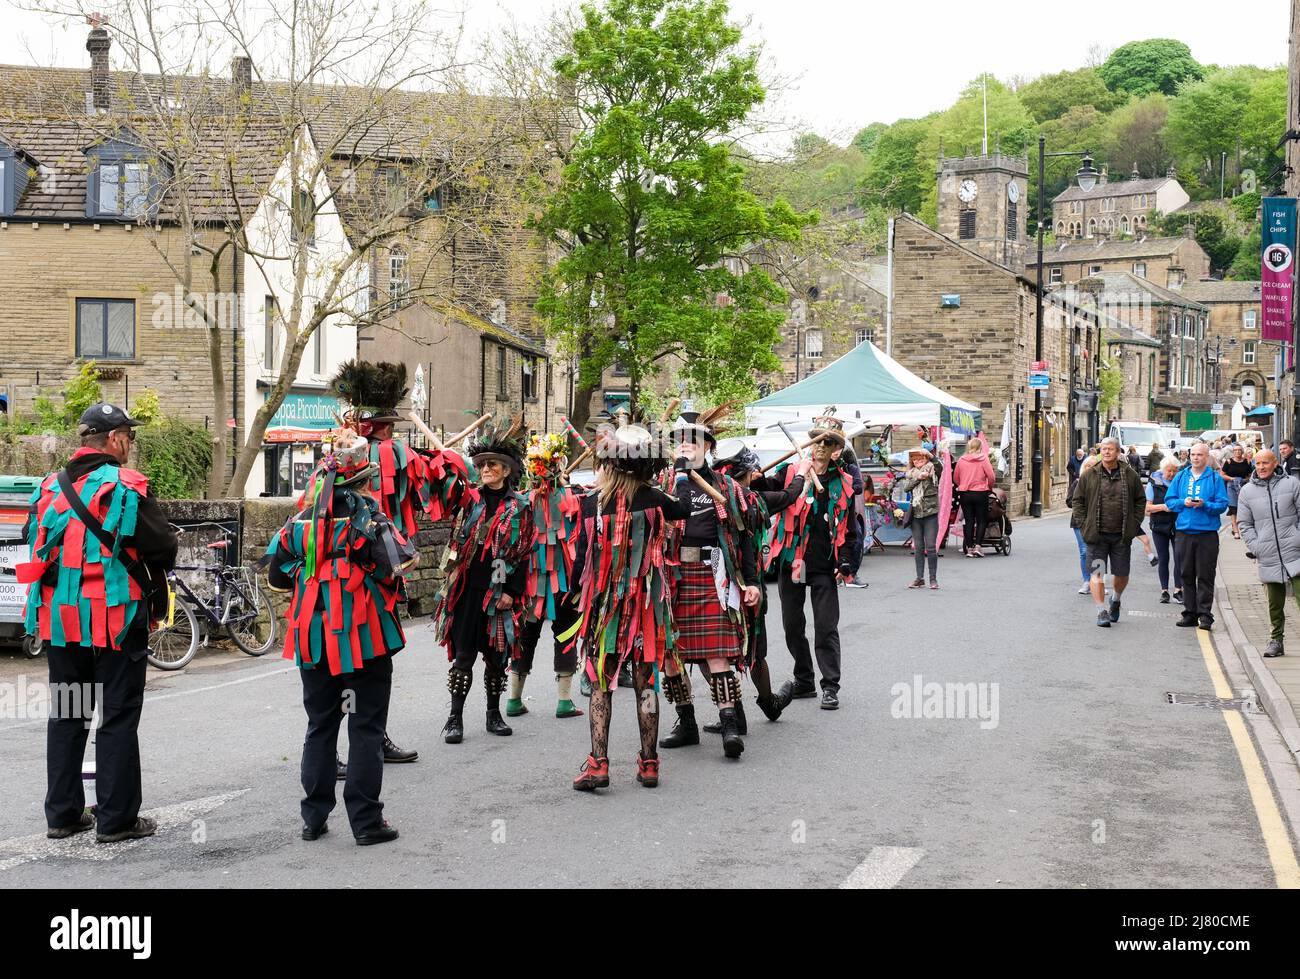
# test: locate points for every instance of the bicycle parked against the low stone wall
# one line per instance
(239, 604)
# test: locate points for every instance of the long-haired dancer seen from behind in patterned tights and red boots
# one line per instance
(626, 594)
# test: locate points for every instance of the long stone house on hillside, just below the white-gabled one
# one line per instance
(1167, 262)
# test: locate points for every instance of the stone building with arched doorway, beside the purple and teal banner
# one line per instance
(1242, 365)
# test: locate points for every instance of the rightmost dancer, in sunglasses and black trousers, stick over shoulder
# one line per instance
(813, 543)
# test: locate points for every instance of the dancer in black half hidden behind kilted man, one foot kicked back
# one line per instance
(765, 499)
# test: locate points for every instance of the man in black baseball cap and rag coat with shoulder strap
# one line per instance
(101, 551)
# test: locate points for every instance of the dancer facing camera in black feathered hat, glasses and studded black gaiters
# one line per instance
(483, 601)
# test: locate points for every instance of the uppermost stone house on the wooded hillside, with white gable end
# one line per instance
(1116, 209)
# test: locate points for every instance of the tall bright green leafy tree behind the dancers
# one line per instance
(652, 213)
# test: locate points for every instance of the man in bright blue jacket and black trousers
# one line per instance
(1198, 497)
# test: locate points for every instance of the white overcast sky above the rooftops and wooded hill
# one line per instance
(856, 63)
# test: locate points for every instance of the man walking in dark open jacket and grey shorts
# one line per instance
(1110, 506)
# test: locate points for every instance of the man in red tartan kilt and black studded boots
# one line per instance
(716, 575)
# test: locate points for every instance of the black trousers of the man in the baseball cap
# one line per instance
(81, 677)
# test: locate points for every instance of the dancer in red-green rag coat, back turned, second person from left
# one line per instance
(343, 560)
